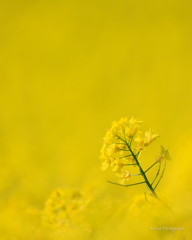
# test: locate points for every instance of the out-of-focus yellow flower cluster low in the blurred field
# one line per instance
(64, 209)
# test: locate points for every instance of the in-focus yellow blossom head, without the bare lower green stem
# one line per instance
(121, 143)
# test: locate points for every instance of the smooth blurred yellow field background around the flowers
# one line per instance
(67, 70)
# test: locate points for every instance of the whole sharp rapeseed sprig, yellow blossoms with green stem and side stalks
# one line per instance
(122, 146)
